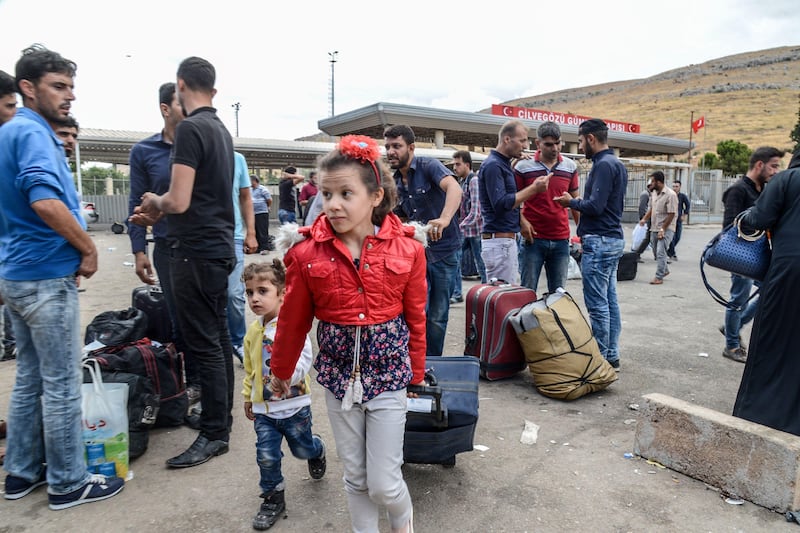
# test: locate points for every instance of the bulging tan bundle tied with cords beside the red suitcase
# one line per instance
(561, 352)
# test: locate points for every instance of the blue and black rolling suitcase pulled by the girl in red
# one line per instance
(448, 427)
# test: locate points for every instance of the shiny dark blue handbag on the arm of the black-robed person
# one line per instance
(732, 250)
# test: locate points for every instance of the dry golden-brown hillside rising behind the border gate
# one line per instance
(752, 98)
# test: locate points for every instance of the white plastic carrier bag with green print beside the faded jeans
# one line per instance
(104, 417)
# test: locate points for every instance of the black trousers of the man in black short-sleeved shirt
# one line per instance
(200, 288)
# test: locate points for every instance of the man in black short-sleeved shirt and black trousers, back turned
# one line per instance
(199, 208)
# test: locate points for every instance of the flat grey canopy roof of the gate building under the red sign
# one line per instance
(463, 128)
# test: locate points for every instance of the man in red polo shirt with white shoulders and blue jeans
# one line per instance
(544, 224)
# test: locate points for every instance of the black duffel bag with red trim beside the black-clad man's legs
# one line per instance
(159, 362)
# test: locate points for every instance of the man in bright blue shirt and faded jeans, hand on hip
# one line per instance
(44, 250)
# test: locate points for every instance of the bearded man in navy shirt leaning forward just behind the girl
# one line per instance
(428, 193)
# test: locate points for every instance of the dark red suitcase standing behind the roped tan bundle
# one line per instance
(489, 335)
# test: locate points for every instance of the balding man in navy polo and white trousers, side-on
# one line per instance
(500, 201)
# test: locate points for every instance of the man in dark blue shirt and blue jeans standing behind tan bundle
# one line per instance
(602, 239)
